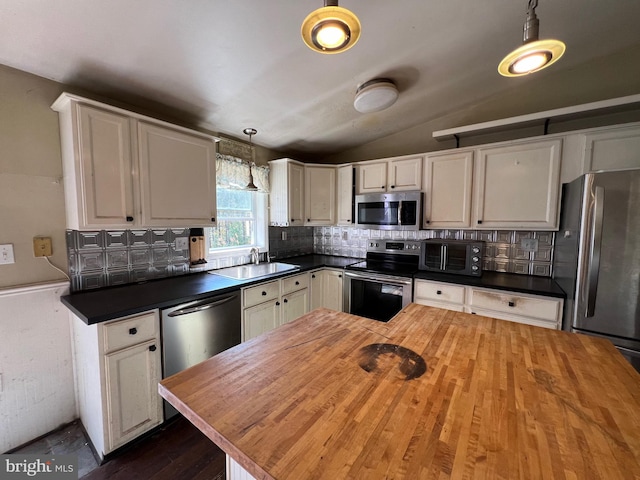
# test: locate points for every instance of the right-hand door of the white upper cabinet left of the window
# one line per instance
(178, 178)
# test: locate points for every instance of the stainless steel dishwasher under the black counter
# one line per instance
(195, 331)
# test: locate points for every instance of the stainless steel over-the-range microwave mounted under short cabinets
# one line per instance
(389, 211)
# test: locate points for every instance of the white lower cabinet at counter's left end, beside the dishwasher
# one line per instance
(118, 367)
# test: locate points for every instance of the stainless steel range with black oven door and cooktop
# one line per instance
(380, 286)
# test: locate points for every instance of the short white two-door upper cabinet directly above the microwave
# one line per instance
(391, 175)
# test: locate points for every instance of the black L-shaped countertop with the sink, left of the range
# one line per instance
(95, 306)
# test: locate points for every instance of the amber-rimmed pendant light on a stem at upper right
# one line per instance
(534, 54)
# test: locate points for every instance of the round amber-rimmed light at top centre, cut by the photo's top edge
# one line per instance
(330, 29)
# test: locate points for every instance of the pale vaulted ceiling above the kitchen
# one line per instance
(226, 65)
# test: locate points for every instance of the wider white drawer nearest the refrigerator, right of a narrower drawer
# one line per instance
(515, 303)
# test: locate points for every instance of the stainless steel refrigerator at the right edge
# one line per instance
(597, 258)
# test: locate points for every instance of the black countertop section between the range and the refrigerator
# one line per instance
(501, 281)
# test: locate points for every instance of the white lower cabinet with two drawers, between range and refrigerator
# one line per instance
(525, 308)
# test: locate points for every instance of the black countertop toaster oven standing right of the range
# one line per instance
(461, 257)
